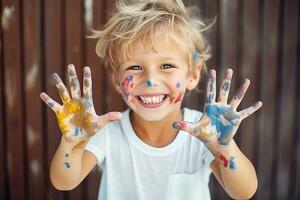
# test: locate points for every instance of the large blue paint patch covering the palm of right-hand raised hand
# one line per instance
(224, 132)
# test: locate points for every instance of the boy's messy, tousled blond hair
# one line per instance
(134, 20)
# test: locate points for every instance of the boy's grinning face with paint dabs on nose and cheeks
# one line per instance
(153, 82)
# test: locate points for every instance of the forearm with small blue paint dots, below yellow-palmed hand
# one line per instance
(66, 166)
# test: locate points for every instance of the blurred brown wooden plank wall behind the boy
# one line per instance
(259, 39)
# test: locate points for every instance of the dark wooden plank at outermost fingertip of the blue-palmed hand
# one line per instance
(268, 91)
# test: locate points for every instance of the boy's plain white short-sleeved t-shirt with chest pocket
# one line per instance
(134, 170)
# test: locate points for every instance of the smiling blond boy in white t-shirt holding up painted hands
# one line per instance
(154, 150)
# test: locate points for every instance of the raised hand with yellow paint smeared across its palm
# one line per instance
(77, 118)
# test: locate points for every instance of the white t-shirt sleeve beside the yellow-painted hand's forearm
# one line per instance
(97, 146)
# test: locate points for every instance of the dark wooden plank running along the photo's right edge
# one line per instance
(287, 104)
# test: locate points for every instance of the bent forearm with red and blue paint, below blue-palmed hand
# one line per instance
(238, 177)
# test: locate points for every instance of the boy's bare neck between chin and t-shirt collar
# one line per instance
(156, 133)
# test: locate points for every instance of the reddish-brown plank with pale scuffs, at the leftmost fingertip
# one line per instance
(34, 131)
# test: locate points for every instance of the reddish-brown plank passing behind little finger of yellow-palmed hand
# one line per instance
(53, 62)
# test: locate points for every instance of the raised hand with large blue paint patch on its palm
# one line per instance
(220, 120)
